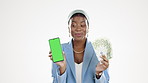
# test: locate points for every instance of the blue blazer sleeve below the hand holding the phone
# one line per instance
(57, 78)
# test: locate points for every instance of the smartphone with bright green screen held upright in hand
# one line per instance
(56, 49)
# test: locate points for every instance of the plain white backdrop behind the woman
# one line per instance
(26, 26)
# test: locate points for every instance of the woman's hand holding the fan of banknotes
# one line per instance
(102, 65)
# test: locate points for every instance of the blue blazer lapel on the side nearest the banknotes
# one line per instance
(87, 57)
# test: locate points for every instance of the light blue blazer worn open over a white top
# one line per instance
(88, 67)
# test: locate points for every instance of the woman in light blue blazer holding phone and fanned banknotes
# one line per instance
(80, 63)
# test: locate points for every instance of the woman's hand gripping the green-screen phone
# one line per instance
(61, 64)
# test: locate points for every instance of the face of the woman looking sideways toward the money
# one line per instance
(78, 27)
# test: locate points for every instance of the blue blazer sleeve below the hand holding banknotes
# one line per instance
(104, 78)
